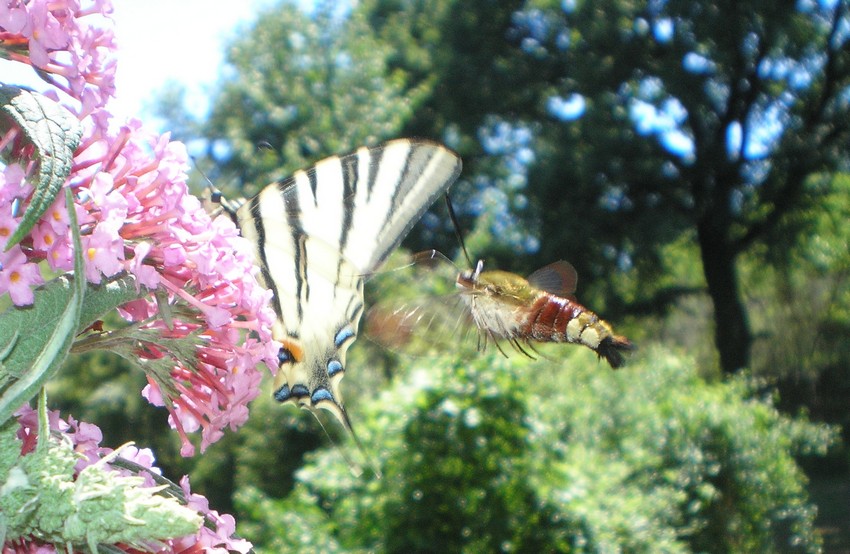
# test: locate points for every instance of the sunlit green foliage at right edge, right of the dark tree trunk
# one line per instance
(803, 296)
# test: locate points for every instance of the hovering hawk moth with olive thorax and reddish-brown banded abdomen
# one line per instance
(505, 306)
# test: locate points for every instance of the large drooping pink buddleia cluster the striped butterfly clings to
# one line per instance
(169, 241)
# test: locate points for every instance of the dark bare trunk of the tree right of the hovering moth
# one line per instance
(732, 332)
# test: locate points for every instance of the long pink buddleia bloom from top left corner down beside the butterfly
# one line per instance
(136, 216)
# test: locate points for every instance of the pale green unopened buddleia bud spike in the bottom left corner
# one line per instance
(41, 497)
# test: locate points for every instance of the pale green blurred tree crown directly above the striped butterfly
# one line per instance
(297, 84)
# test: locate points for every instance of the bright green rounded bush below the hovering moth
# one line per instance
(510, 455)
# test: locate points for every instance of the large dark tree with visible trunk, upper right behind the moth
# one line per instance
(691, 117)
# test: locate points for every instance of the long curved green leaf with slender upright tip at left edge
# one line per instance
(44, 332)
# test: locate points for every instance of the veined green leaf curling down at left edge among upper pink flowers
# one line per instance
(55, 134)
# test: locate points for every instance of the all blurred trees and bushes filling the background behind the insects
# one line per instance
(688, 158)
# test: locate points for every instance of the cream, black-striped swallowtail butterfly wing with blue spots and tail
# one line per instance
(317, 234)
